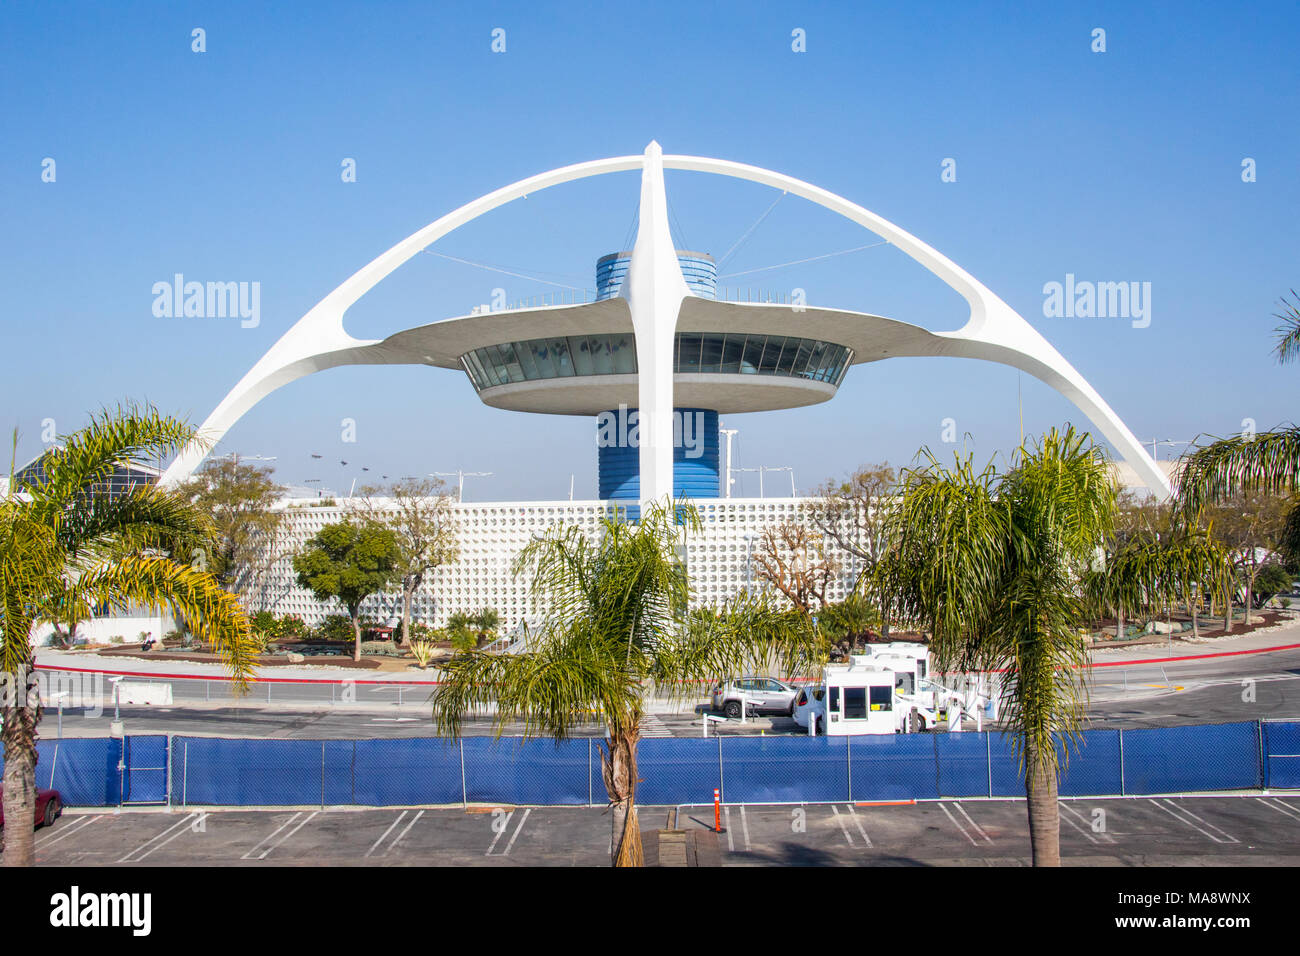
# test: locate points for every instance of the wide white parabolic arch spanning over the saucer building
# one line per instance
(995, 332)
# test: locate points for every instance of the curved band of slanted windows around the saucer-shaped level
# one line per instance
(731, 353)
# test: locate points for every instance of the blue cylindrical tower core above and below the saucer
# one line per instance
(695, 431)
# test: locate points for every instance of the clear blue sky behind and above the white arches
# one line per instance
(226, 166)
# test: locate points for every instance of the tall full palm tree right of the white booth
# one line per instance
(993, 566)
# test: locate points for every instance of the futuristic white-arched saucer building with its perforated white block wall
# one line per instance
(653, 361)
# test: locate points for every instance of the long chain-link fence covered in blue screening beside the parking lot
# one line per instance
(245, 772)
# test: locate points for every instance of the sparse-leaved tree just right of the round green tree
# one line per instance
(421, 514)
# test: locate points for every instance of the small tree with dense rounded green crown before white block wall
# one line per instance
(349, 563)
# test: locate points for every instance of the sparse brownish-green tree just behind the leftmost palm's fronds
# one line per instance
(241, 498)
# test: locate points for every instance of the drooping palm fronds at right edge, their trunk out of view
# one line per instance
(1267, 464)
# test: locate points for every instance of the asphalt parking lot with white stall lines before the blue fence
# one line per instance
(1137, 832)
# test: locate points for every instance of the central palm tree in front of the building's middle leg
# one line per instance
(618, 628)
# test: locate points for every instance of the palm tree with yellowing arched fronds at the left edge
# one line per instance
(70, 544)
